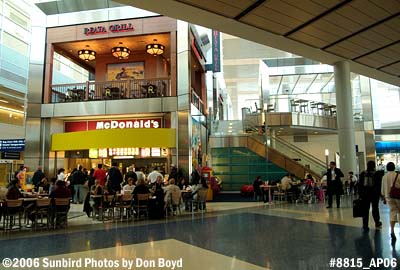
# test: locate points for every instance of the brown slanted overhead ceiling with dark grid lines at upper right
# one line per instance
(364, 32)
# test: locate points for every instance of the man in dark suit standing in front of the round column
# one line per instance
(334, 184)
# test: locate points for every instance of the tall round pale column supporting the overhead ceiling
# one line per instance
(346, 131)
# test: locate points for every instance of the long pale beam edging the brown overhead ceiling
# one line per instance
(185, 12)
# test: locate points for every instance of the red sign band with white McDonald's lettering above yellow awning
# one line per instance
(72, 126)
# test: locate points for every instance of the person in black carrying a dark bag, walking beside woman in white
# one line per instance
(369, 189)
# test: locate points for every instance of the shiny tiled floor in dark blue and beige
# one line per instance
(229, 236)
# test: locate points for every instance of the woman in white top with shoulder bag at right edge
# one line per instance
(391, 194)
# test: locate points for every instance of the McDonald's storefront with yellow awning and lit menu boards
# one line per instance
(132, 151)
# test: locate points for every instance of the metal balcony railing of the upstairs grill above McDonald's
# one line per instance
(108, 90)
